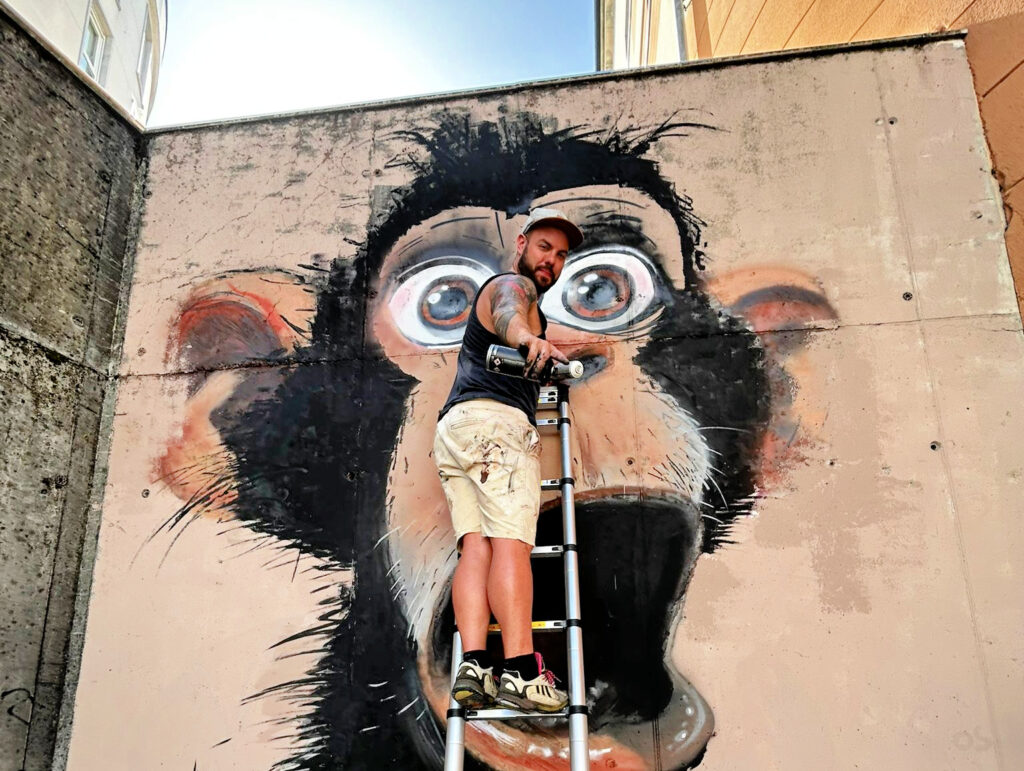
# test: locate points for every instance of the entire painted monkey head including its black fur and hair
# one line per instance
(333, 455)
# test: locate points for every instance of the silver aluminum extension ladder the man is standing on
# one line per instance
(552, 398)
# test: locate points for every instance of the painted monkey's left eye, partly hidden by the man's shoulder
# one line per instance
(432, 303)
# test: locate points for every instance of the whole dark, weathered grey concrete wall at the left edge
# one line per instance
(68, 167)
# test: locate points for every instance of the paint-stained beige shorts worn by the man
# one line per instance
(489, 459)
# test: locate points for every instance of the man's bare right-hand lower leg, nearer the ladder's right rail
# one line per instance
(510, 592)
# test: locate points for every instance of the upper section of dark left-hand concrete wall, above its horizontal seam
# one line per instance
(67, 173)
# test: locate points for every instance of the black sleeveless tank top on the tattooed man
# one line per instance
(473, 381)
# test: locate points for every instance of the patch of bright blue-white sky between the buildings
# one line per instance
(229, 59)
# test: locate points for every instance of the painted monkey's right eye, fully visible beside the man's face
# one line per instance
(608, 289)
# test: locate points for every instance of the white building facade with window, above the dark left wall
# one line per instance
(117, 44)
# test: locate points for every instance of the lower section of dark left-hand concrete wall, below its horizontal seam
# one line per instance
(51, 411)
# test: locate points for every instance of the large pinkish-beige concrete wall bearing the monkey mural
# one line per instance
(798, 441)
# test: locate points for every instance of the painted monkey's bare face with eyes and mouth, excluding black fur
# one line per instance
(646, 467)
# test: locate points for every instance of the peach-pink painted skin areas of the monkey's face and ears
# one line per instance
(619, 462)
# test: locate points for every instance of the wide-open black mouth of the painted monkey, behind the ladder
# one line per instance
(636, 559)
